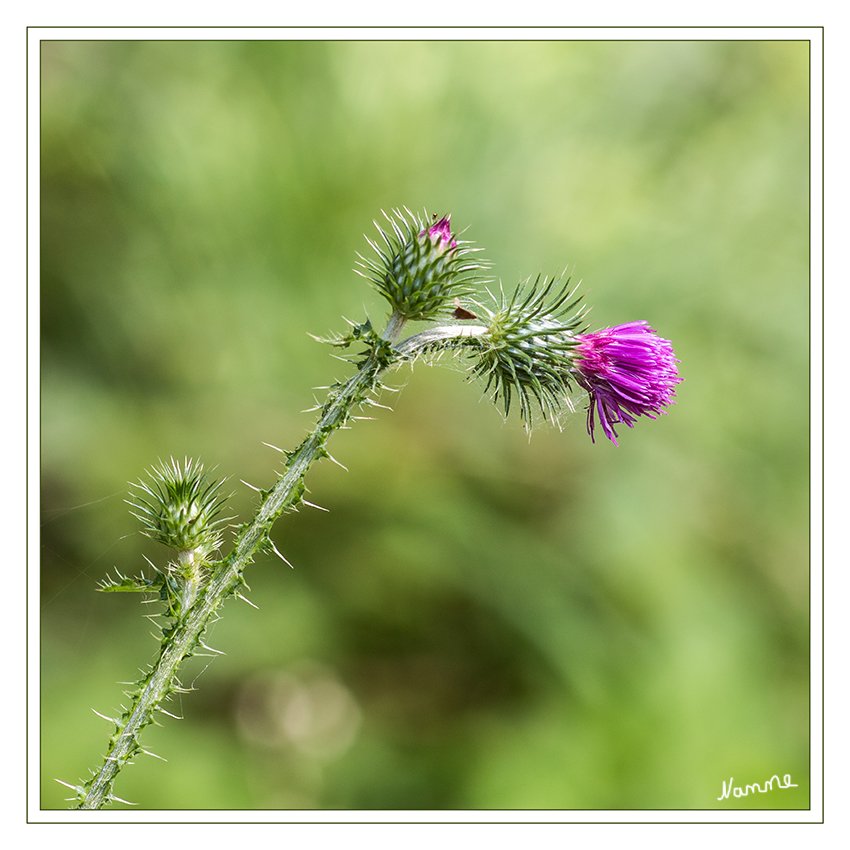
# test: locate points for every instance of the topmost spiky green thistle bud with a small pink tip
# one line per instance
(423, 267)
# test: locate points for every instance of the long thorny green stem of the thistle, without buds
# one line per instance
(186, 636)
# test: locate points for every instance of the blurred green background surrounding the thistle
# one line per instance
(482, 620)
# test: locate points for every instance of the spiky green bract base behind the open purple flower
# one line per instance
(529, 347)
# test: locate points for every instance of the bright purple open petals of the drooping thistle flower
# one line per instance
(628, 371)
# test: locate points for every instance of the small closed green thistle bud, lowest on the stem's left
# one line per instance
(179, 506)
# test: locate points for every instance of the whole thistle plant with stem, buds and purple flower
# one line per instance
(531, 346)
